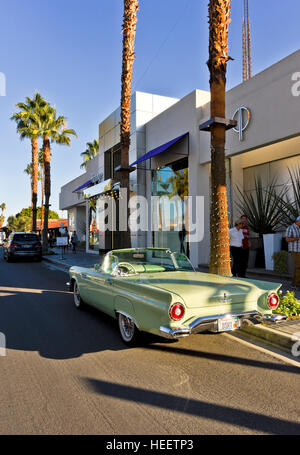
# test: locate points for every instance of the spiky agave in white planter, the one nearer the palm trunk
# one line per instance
(263, 207)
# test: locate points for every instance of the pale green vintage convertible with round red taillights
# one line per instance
(158, 291)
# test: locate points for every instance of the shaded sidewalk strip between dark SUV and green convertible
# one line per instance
(80, 258)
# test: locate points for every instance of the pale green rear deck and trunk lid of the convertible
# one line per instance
(200, 289)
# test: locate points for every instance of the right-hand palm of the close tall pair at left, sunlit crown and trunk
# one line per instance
(52, 129)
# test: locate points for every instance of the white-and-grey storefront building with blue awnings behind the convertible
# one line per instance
(175, 155)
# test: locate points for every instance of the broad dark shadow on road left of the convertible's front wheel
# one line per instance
(47, 321)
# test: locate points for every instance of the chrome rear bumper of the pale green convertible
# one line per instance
(210, 323)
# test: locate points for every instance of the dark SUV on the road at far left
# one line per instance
(22, 244)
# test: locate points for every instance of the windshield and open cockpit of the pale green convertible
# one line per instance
(143, 260)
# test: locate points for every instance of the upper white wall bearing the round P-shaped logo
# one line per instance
(275, 112)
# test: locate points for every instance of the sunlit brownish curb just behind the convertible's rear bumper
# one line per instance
(273, 337)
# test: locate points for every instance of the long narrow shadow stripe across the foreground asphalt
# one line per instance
(214, 412)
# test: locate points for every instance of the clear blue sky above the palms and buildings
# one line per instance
(70, 51)
